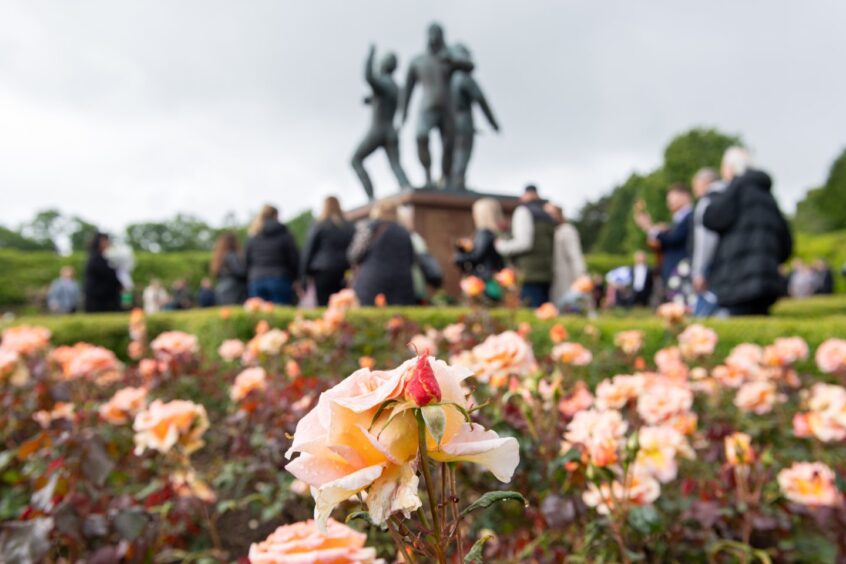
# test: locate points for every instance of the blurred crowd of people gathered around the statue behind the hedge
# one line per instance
(723, 253)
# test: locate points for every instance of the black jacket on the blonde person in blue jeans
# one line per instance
(272, 253)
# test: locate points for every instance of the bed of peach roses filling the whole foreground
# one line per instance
(198, 435)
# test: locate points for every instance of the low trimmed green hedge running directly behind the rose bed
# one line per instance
(110, 330)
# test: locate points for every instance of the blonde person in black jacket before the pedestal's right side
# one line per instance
(479, 256)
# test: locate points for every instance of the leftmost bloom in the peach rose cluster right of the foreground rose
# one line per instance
(599, 434)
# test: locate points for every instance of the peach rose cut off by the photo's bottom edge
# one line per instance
(305, 543)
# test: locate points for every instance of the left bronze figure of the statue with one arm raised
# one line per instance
(382, 133)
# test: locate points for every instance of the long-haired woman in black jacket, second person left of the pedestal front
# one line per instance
(325, 254)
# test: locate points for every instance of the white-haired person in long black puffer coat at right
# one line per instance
(754, 238)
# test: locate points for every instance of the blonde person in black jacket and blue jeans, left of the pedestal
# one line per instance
(272, 258)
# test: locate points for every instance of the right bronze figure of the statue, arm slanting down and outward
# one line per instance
(464, 92)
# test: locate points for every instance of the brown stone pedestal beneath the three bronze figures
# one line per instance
(441, 217)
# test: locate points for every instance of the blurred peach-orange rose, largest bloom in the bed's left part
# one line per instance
(164, 425)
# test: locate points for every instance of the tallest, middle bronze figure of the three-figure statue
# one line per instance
(432, 70)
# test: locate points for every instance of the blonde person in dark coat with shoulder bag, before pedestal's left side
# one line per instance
(384, 255)
